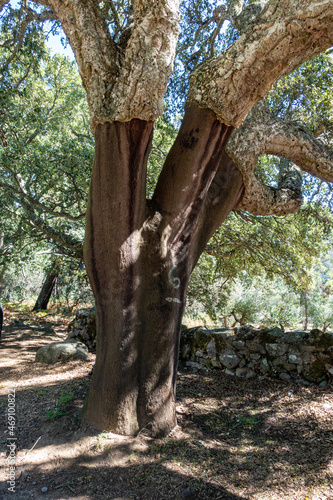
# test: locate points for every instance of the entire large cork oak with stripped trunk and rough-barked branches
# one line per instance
(139, 255)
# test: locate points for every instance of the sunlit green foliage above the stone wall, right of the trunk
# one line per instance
(287, 249)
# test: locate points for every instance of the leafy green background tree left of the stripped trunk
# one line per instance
(46, 151)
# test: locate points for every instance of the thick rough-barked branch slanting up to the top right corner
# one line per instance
(287, 33)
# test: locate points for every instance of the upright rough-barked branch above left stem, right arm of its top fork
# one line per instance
(148, 62)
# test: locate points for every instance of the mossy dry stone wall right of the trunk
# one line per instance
(249, 352)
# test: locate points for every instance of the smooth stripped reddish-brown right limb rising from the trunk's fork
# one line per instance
(189, 169)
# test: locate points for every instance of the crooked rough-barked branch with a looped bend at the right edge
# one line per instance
(262, 133)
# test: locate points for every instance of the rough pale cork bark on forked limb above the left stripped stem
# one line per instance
(122, 84)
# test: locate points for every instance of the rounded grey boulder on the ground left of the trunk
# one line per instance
(61, 351)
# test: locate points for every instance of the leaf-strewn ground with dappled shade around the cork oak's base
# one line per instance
(237, 439)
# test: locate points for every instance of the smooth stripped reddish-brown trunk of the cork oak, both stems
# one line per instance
(139, 257)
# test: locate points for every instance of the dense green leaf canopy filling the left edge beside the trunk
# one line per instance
(45, 151)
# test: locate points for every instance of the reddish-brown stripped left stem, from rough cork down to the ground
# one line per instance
(115, 214)
